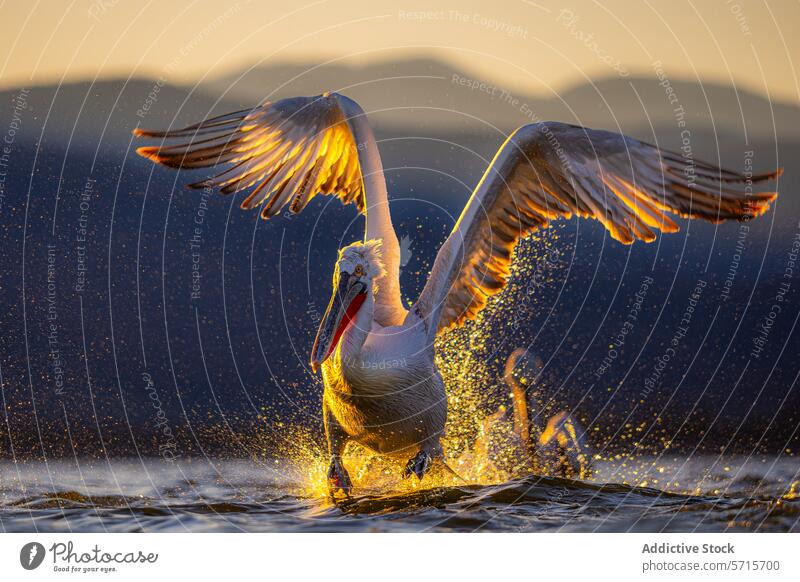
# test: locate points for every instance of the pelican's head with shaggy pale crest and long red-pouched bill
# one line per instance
(359, 264)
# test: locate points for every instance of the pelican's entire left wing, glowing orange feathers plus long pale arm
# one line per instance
(285, 153)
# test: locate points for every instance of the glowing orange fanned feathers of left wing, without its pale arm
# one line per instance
(283, 152)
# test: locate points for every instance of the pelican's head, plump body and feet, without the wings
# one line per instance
(382, 387)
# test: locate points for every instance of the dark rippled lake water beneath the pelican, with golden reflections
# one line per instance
(697, 494)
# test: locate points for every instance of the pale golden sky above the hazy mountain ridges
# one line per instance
(537, 46)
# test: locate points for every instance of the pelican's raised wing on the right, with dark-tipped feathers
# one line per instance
(547, 171)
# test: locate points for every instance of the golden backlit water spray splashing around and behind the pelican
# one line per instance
(480, 441)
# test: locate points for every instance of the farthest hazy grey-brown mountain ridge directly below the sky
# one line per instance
(429, 95)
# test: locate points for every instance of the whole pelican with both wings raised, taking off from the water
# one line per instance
(382, 387)
